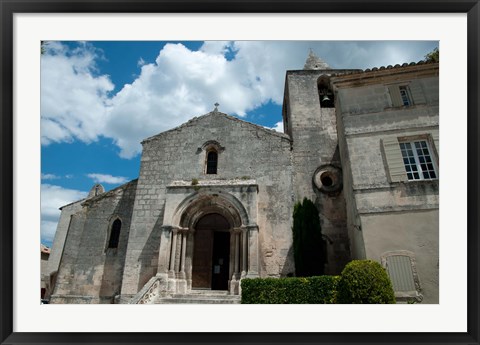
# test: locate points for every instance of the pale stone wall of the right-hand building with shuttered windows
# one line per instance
(386, 215)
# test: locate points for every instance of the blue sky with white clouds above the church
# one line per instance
(100, 99)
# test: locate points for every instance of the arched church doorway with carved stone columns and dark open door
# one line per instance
(211, 245)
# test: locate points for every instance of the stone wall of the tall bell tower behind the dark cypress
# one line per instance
(315, 146)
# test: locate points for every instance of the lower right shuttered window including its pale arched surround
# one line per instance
(401, 268)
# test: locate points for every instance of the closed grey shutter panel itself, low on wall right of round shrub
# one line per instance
(400, 271)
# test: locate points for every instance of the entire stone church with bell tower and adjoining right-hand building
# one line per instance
(214, 199)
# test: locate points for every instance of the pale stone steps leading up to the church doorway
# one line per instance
(201, 297)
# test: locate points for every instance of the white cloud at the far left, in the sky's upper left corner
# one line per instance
(74, 101)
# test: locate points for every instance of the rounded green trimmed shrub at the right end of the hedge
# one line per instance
(364, 281)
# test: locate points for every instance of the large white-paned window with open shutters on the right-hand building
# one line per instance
(411, 158)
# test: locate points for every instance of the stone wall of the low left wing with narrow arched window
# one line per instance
(88, 267)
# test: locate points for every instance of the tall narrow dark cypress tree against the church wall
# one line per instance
(309, 248)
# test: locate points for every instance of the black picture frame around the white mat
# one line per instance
(10, 7)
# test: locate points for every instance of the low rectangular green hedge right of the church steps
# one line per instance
(311, 290)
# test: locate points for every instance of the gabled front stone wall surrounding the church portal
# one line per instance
(245, 151)
